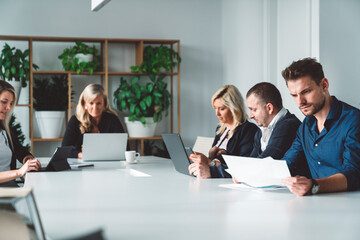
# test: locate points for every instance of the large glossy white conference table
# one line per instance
(150, 200)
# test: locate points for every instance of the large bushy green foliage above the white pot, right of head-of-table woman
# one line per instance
(149, 100)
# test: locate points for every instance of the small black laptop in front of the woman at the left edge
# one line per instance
(58, 161)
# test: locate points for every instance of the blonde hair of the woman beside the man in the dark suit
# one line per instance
(231, 98)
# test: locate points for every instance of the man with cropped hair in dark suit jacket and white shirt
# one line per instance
(277, 126)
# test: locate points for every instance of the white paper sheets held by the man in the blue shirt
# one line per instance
(257, 172)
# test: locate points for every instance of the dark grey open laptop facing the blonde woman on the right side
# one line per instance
(178, 153)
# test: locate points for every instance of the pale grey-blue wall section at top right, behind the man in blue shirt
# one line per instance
(340, 48)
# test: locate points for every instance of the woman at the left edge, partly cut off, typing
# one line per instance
(10, 148)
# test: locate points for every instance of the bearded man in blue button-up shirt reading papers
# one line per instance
(325, 156)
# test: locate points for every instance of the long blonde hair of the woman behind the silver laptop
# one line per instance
(89, 94)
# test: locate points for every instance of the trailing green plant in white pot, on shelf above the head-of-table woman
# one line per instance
(81, 58)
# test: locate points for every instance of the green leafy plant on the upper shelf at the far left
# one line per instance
(14, 64)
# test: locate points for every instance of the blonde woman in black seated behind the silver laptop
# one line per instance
(93, 115)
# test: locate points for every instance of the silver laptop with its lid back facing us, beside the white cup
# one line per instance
(104, 146)
